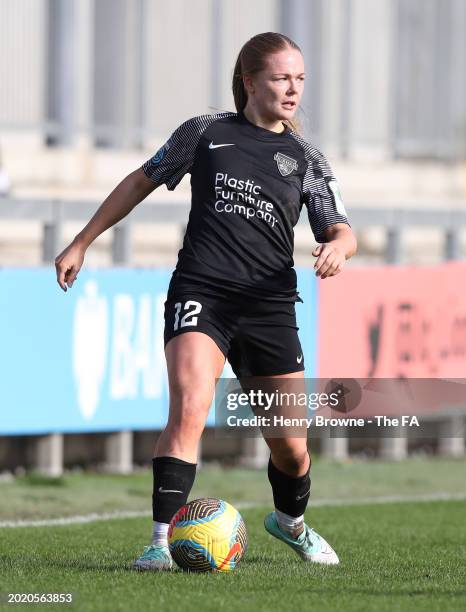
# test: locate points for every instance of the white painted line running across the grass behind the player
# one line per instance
(107, 516)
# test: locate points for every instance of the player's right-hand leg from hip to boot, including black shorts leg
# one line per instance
(270, 356)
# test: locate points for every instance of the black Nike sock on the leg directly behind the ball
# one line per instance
(173, 480)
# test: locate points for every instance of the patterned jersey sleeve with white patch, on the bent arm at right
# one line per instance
(321, 195)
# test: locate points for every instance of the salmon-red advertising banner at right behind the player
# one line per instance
(393, 322)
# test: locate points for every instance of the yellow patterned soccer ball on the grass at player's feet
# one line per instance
(207, 535)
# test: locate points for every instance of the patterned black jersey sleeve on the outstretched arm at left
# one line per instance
(176, 157)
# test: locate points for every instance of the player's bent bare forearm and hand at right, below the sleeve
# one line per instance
(331, 256)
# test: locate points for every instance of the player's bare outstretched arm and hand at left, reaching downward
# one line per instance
(132, 190)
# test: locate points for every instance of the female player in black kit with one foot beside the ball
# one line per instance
(233, 292)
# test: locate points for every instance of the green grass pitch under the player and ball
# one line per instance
(394, 556)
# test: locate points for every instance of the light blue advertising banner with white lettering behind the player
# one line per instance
(93, 359)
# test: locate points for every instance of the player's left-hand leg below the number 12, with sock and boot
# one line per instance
(194, 361)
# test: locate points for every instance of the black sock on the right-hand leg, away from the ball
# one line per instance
(290, 495)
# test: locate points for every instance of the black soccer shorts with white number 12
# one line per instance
(258, 337)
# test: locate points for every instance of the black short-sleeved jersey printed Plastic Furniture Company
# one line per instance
(248, 187)
